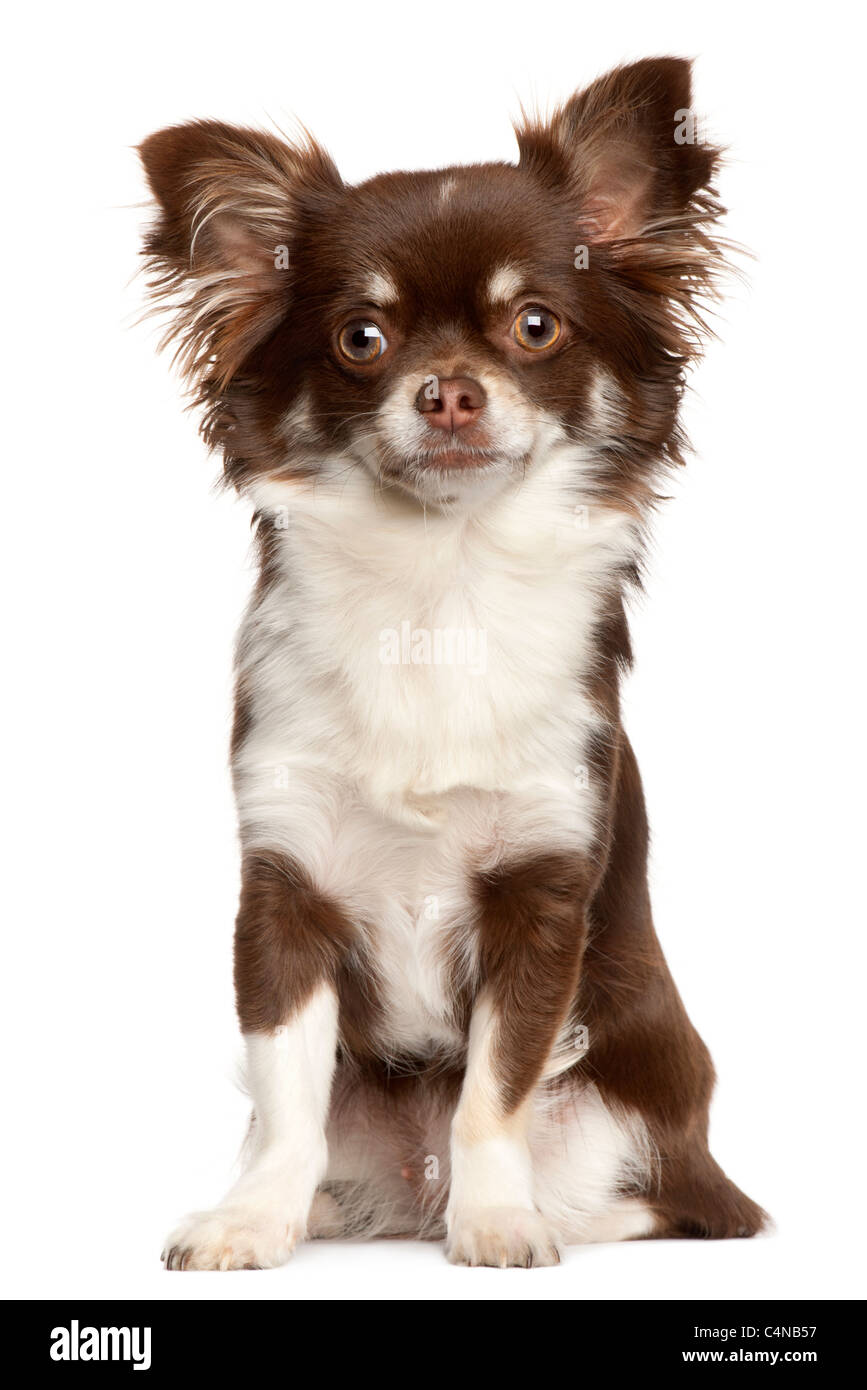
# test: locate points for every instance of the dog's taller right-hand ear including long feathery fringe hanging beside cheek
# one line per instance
(627, 155)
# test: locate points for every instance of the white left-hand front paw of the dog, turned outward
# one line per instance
(233, 1238)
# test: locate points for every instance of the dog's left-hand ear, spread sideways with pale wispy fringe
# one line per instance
(220, 251)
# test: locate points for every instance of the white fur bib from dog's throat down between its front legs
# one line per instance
(419, 704)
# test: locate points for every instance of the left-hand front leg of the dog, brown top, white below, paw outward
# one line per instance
(287, 945)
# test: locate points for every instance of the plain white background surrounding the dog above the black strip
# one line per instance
(124, 579)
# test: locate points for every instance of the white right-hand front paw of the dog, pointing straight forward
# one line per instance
(504, 1238)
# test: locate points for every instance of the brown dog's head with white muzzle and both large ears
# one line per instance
(444, 330)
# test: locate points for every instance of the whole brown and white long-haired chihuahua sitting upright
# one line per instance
(451, 398)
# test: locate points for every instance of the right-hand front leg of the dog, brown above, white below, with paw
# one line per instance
(531, 939)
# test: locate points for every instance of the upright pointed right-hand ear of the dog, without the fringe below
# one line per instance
(630, 149)
